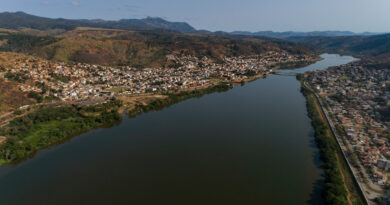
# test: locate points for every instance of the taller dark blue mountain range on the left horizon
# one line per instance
(19, 20)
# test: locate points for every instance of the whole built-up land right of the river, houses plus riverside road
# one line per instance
(353, 99)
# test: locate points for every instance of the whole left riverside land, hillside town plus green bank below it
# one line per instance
(68, 99)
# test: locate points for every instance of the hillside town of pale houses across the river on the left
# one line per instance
(76, 82)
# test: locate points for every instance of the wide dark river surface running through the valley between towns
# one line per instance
(250, 145)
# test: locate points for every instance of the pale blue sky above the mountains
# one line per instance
(226, 15)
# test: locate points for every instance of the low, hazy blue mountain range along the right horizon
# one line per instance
(288, 34)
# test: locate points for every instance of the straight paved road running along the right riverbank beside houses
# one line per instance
(368, 194)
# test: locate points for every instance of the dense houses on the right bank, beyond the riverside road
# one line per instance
(357, 97)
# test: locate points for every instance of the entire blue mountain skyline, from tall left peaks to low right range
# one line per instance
(18, 20)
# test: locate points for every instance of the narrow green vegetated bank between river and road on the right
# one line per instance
(341, 186)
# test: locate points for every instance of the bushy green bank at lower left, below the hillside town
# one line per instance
(48, 126)
